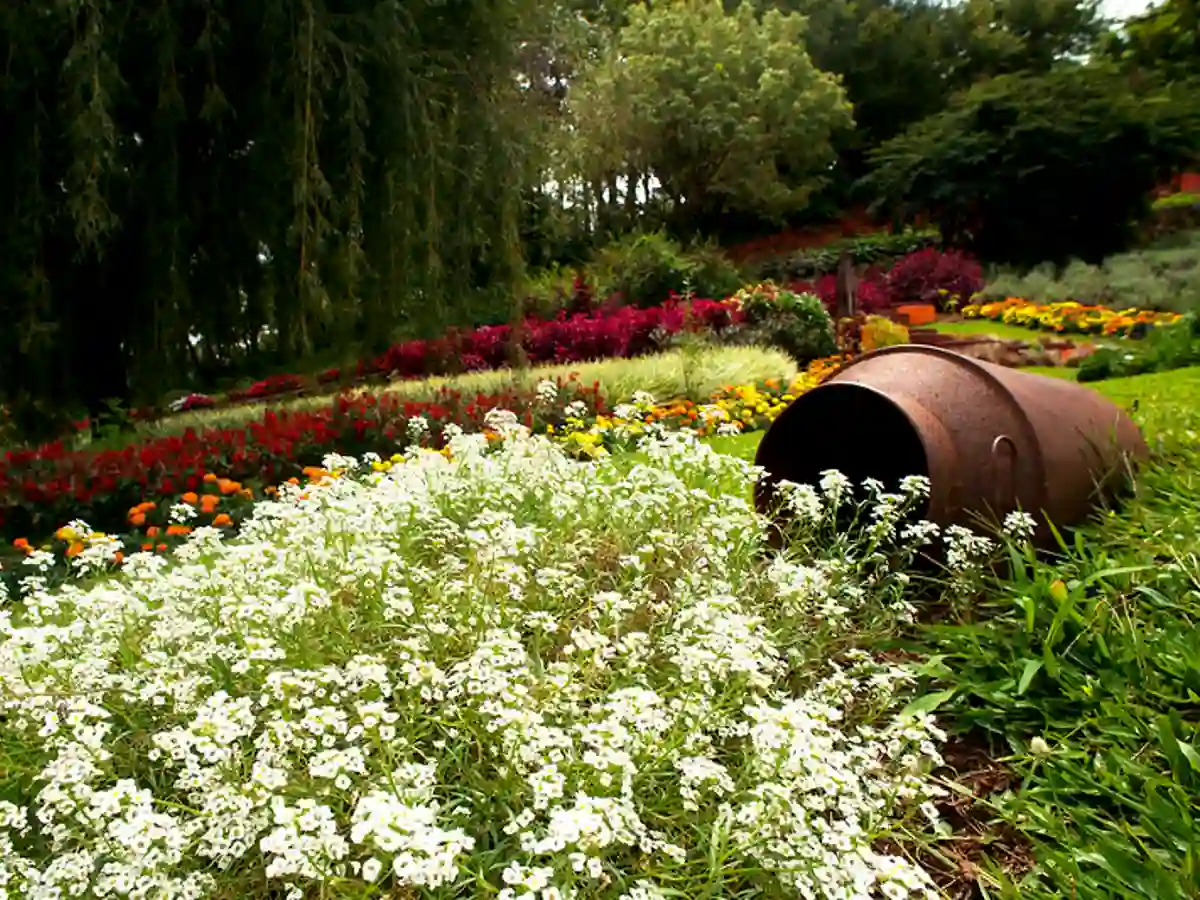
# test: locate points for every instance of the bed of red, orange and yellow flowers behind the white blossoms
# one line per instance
(45, 489)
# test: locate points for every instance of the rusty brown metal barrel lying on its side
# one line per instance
(991, 440)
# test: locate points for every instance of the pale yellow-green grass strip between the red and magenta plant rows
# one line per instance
(687, 374)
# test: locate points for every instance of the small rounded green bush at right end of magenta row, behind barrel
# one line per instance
(799, 325)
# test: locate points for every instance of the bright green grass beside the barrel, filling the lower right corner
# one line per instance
(1071, 688)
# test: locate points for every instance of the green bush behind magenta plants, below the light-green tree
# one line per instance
(646, 269)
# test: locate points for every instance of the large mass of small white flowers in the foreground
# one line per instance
(507, 675)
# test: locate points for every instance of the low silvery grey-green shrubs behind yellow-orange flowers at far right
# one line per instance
(1166, 277)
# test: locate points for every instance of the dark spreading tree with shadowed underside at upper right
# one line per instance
(1027, 170)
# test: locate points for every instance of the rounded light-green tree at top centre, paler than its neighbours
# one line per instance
(725, 110)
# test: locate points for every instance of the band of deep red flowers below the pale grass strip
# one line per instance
(46, 488)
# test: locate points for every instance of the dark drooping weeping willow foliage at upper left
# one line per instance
(194, 188)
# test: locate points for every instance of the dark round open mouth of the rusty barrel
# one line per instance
(850, 428)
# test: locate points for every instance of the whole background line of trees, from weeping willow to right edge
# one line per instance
(200, 190)
